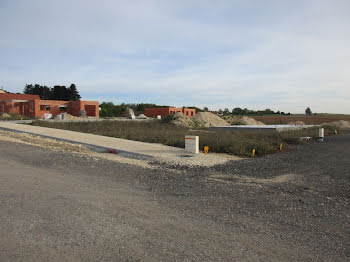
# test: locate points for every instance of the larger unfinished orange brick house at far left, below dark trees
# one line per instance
(33, 106)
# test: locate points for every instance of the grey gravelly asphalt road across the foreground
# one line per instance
(291, 206)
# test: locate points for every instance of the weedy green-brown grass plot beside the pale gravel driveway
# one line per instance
(234, 143)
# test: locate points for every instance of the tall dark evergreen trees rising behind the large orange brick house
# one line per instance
(53, 93)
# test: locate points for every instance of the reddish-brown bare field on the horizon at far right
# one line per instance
(308, 120)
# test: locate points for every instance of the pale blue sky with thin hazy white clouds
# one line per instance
(279, 54)
